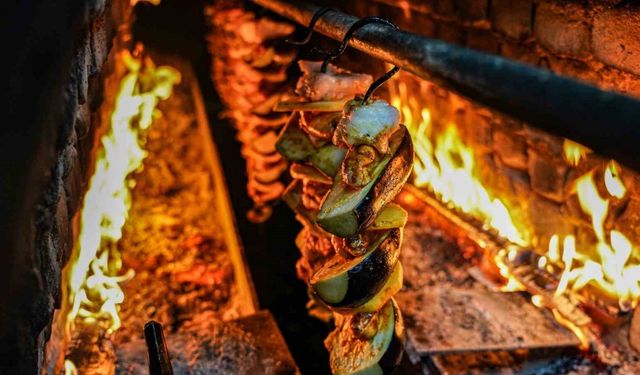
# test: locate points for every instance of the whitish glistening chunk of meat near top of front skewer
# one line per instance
(367, 124)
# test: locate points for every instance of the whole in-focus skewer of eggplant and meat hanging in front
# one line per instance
(349, 164)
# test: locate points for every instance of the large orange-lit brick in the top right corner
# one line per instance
(615, 38)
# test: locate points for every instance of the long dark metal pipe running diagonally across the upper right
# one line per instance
(607, 122)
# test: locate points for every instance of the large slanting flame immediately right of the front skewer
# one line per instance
(446, 165)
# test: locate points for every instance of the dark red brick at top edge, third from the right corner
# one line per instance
(512, 17)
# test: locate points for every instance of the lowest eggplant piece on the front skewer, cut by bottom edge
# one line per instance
(367, 345)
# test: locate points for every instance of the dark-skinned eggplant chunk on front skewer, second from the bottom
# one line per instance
(348, 284)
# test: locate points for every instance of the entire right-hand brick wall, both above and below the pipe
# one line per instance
(594, 41)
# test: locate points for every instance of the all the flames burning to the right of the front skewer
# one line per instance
(446, 166)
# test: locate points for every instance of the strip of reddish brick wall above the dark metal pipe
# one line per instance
(594, 41)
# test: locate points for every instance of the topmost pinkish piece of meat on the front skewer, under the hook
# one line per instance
(335, 84)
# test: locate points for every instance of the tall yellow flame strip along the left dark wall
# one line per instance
(94, 273)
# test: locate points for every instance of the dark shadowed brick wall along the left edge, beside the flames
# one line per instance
(58, 80)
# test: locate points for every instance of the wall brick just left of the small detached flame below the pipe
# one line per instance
(547, 175)
